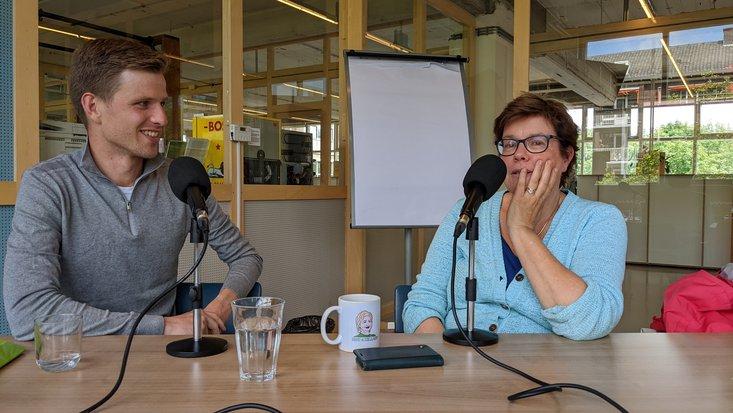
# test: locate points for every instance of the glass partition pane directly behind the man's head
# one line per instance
(188, 33)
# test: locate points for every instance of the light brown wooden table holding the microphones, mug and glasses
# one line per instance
(643, 372)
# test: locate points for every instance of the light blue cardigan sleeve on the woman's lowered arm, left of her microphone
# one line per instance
(428, 297)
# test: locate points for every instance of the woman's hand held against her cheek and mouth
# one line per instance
(529, 196)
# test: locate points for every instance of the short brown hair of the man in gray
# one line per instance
(97, 65)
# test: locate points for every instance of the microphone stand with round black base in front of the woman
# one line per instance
(479, 337)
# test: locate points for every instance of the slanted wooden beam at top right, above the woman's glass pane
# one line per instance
(571, 39)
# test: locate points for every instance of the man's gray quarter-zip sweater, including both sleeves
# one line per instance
(78, 246)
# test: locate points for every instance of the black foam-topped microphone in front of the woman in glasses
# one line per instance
(482, 180)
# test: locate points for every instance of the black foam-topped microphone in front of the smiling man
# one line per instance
(190, 183)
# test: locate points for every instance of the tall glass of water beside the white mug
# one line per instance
(257, 321)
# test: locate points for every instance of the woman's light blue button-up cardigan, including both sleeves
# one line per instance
(587, 237)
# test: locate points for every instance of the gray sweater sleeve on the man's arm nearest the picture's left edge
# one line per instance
(32, 272)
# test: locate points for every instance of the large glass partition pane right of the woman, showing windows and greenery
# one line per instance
(652, 99)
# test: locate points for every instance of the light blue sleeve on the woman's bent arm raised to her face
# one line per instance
(599, 259)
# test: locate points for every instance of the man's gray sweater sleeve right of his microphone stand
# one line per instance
(245, 265)
